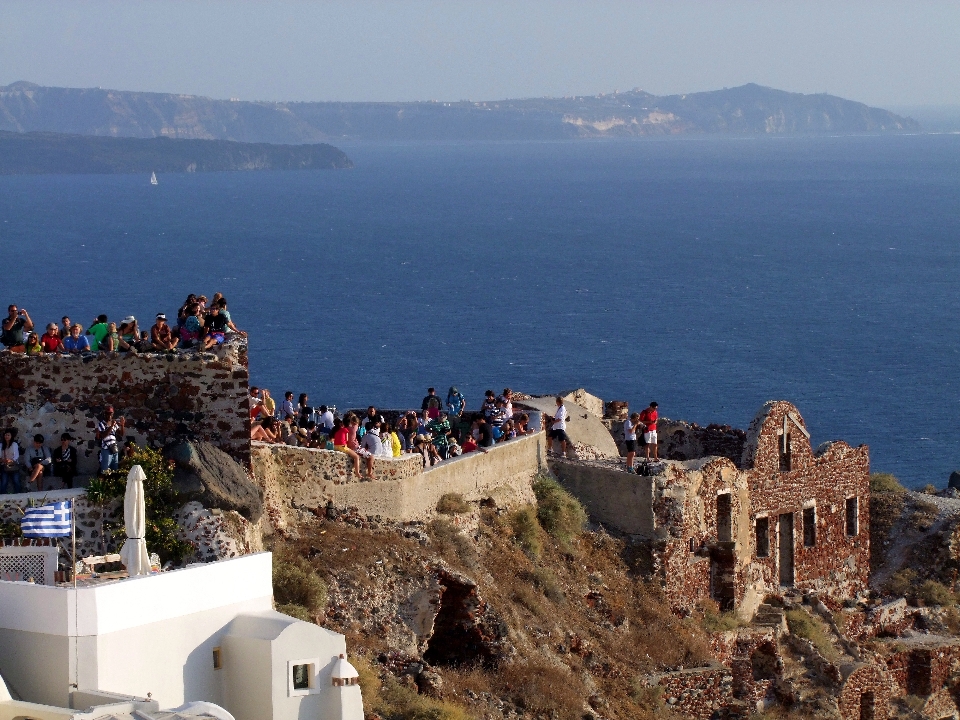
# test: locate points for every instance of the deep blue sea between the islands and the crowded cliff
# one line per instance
(708, 274)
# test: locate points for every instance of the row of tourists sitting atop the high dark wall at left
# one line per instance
(200, 325)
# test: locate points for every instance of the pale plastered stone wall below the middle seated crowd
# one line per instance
(305, 480)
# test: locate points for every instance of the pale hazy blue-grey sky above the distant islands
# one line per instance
(882, 53)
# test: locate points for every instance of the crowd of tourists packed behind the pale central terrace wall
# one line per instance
(440, 430)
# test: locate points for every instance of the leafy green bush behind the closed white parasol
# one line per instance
(161, 500)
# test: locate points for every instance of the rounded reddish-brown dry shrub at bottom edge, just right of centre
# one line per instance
(543, 690)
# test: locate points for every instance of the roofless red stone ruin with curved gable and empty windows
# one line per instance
(763, 513)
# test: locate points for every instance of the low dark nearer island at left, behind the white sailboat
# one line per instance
(48, 153)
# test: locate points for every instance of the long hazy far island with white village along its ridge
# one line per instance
(747, 110)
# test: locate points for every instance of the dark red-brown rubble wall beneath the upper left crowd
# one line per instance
(162, 397)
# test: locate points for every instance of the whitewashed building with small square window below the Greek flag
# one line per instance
(205, 633)
